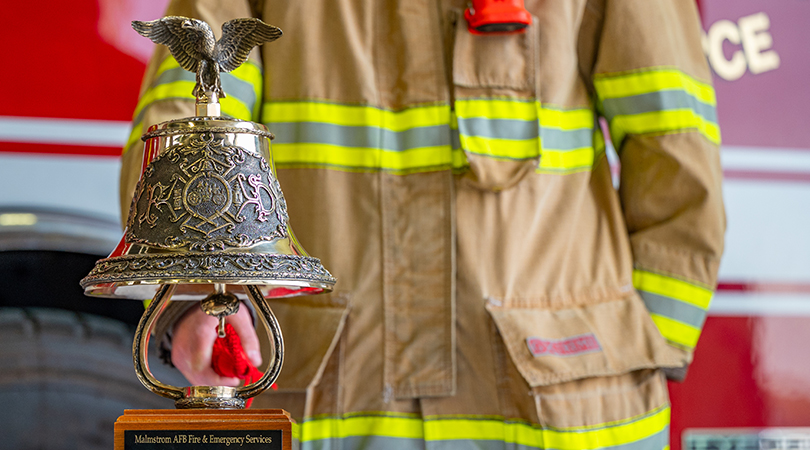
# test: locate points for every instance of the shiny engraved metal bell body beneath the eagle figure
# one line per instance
(208, 209)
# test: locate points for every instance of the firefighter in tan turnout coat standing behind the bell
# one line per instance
(494, 288)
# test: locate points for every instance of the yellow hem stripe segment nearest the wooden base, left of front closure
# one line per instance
(362, 425)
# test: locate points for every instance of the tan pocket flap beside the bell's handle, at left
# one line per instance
(311, 328)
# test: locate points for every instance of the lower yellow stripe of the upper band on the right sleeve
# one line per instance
(663, 121)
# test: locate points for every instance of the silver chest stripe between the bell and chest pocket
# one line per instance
(360, 136)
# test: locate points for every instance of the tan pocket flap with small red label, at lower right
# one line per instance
(602, 339)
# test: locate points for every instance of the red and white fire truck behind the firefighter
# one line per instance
(71, 81)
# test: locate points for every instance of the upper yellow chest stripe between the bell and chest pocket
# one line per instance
(357, 115)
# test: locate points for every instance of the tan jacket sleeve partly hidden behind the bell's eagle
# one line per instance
(166, 87)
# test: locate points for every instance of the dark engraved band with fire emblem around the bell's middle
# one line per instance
(205, 194)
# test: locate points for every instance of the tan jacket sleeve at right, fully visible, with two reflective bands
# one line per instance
(652, 84)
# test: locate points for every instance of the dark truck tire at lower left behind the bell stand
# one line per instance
(65, 377)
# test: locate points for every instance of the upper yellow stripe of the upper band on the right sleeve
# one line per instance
(615, 85)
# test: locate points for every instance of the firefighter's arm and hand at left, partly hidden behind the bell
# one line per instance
(184, 332)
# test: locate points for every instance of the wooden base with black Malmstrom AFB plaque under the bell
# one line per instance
(159, 429)
